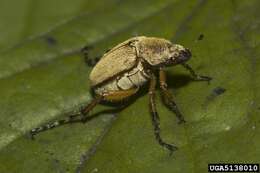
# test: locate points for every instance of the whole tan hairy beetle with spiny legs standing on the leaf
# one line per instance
(125, 68)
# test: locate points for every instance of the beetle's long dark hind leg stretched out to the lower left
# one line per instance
(78, 117)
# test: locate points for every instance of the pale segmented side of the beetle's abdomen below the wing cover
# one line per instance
(131, 79)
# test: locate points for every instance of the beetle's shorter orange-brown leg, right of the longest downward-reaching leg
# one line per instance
(168, 97)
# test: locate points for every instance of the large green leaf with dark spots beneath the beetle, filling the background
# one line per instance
(43, 76)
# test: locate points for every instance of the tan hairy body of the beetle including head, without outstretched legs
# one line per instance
(123, 67)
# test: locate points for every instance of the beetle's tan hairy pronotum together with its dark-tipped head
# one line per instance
(160, 52)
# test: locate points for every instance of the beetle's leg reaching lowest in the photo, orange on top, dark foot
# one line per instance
(155, 116)
